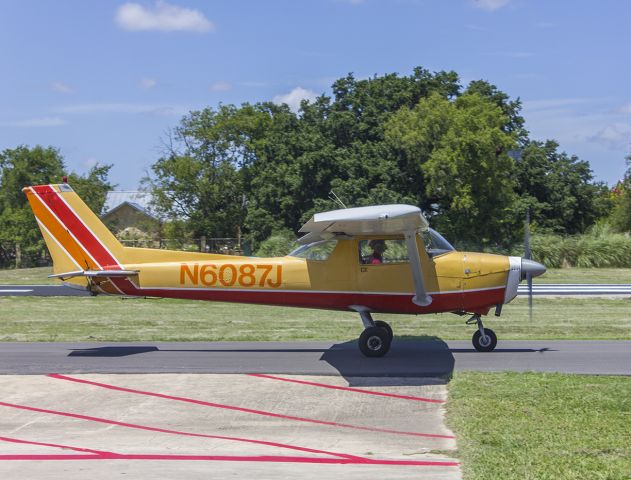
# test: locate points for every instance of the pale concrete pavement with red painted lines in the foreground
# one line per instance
(237, 426)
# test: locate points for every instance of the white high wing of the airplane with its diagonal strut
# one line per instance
(375, 220)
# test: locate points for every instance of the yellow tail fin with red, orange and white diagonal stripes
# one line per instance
(74, 235)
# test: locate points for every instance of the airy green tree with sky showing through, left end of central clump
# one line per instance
(200, 177)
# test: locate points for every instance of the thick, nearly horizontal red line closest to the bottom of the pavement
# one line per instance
(235, 458)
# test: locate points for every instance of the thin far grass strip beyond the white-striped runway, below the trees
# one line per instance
(32, 276)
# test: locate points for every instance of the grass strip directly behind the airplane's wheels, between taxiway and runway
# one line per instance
(114, 319)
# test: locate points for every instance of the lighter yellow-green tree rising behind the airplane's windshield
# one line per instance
(459, 148)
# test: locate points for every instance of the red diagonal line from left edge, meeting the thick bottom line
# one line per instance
(173, 432)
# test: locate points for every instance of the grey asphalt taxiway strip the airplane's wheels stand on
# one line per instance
(434, 360)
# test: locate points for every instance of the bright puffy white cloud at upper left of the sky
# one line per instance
(163, 17)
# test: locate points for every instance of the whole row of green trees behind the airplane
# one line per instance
(462, 154)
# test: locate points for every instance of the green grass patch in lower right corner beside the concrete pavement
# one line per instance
(531, 426)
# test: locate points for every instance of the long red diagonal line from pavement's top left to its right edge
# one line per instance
(246, 410)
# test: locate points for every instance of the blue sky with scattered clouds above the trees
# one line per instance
(105, 81)
